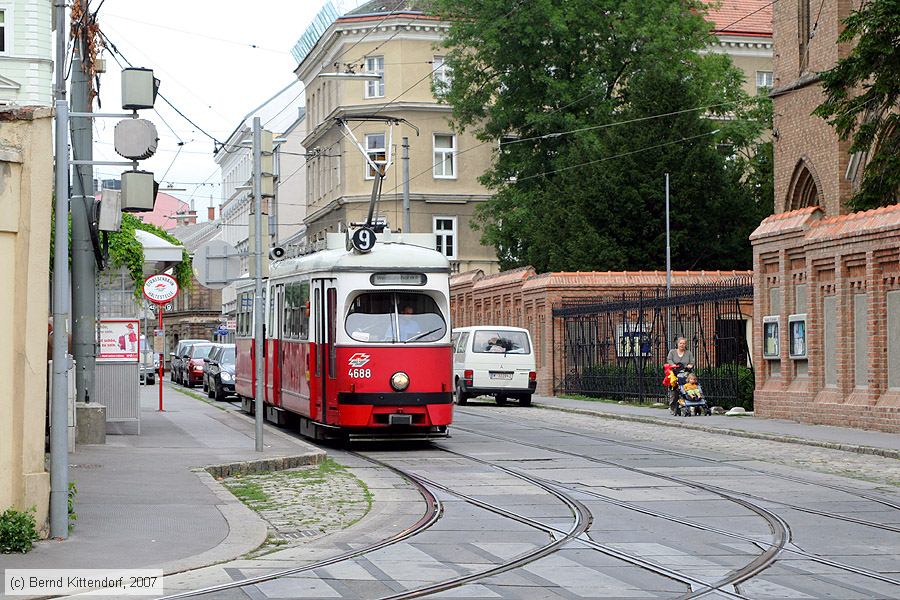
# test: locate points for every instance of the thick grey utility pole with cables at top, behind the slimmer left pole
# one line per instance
(84, 271)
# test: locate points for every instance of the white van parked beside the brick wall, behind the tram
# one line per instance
(493, 361)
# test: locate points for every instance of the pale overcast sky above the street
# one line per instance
(217, 60)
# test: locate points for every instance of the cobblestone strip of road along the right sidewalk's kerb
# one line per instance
(876, 469)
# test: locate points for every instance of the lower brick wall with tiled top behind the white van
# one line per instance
(522, 298)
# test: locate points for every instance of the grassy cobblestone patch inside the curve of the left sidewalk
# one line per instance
(303, 503)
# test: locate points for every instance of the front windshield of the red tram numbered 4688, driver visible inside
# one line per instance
(395, 317)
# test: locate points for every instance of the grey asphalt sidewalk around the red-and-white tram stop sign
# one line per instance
(141, 502)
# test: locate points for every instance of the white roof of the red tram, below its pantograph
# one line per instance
(395, 254)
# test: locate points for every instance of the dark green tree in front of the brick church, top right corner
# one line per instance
(862, 99)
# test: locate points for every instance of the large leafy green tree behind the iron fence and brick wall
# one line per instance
(603, 71)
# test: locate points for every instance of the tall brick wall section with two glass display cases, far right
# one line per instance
(848, 262)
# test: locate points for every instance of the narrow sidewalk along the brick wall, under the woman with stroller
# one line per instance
(839, 438)
